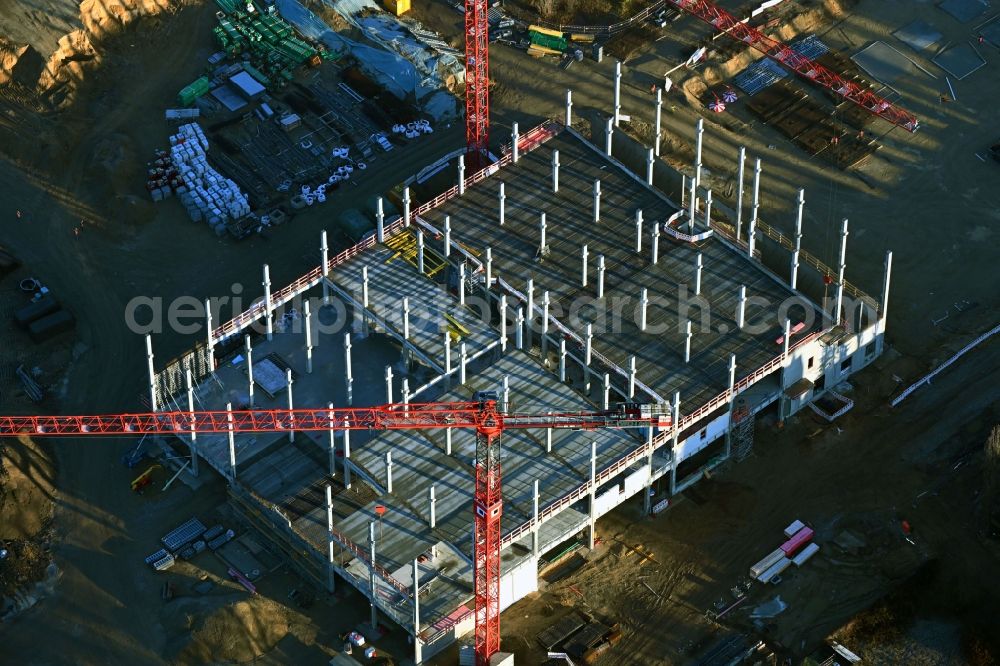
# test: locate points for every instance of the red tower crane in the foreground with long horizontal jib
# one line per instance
(482, 415)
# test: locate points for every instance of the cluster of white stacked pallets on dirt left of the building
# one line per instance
(205, 193)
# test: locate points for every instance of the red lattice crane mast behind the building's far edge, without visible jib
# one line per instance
(477, 82)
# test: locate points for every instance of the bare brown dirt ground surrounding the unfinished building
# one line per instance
(925, 196)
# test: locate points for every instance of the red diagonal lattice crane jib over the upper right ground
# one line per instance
(725, 22)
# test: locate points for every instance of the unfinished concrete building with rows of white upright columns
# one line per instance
(563, 282)
